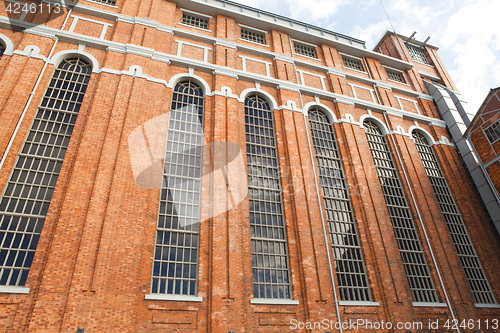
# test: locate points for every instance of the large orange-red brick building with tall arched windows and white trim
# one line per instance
(202, 166)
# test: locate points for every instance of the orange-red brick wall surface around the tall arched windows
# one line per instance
(93, 264)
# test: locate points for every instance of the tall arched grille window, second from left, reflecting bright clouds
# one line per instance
(175, 264)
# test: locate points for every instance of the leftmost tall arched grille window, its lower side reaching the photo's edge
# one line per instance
(26, 199)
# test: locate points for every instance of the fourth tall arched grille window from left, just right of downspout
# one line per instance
(347, 253)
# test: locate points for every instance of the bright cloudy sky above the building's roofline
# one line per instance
(467, 32)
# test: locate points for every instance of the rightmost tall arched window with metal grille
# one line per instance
(463, 245)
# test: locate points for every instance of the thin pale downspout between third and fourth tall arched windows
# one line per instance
(328, 247)
